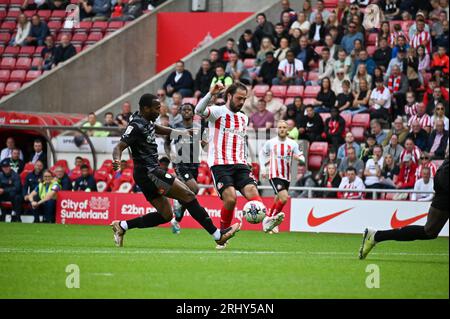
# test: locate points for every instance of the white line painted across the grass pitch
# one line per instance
(5, 250)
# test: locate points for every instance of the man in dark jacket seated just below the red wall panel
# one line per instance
(179, 81)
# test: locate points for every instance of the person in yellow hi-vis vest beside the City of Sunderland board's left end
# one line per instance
(43, 198)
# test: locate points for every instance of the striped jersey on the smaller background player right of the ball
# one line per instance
(279, 154)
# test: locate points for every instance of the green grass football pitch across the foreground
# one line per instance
(157, 264)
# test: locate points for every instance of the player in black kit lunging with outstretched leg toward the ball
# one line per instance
(156, 184)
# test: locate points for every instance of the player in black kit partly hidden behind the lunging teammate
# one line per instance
(186, 159)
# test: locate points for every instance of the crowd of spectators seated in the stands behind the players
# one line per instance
(360, 57)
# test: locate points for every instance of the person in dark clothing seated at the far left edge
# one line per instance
(11, 189)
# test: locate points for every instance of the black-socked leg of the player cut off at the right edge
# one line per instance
(436, 220)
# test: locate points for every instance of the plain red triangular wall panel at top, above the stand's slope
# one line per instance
(180, 33)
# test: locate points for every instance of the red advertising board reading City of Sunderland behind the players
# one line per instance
(103, 208)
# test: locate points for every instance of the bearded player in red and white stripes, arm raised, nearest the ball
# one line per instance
(227, 154)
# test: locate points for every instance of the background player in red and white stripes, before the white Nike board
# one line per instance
(276, 158)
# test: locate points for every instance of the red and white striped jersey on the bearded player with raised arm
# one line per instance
(227, 136)
